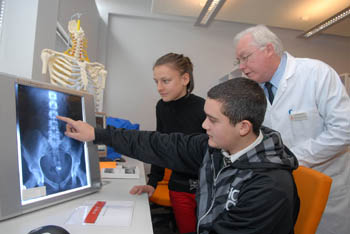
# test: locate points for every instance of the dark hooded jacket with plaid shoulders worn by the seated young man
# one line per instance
(255, 194)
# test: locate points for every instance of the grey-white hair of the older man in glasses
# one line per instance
(261, 37)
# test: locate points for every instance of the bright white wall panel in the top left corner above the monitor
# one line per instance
(17, 39)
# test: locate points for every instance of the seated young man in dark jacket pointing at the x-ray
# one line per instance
(245, 171)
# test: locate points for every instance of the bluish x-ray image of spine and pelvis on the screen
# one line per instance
(50, 162)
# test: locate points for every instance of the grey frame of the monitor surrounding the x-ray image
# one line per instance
(10, 192)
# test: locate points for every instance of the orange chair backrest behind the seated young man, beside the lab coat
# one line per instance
(313, 189)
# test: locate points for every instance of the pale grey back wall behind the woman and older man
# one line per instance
(135, 42)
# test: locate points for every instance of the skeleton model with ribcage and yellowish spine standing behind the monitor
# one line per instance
(72, 68)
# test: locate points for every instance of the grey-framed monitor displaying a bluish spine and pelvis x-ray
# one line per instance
(39, 165)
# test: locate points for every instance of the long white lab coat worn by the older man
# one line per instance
(312, 94)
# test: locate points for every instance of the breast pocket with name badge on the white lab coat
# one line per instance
(305, 124)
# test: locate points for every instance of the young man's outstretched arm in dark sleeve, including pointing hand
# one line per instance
(176, 151)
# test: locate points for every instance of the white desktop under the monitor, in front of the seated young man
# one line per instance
(112, 189)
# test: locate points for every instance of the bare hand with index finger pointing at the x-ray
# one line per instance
(78, 130)
